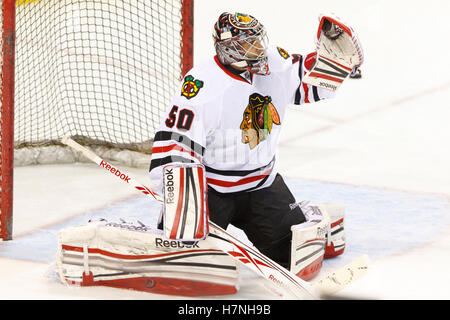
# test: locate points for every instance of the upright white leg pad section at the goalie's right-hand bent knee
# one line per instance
(308, 243)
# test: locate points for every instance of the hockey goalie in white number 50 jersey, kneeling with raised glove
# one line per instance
(213, 159)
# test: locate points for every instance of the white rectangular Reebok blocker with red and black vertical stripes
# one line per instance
(185, 207)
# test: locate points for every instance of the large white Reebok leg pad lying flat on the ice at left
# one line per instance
(137, 257)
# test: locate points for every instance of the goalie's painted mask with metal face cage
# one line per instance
(241, 41)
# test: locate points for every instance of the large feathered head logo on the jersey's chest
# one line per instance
(258, 119)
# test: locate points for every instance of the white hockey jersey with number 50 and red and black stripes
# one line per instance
(231, 123)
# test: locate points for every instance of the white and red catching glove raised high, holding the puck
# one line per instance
(338, 53)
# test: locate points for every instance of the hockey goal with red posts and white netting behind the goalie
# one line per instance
(100, 71)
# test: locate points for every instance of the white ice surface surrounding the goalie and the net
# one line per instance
(381, 147)
